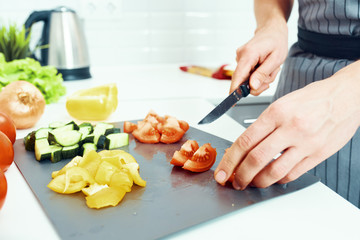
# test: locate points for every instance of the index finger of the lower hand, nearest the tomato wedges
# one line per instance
(255, 133)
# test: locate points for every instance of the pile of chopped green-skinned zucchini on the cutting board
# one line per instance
(66, 140)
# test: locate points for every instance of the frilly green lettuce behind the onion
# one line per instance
(45, 78)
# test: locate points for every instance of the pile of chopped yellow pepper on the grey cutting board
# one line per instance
(103, 177)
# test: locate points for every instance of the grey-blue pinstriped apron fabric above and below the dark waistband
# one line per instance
(340, 172)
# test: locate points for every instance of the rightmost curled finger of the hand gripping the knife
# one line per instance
(264, 71)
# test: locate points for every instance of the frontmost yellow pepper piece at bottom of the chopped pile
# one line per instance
(105, 197)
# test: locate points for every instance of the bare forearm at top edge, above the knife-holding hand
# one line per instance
(272, 11)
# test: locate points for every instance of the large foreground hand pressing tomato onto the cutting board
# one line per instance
(307, 126)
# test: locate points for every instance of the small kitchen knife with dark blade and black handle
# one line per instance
(242, 91)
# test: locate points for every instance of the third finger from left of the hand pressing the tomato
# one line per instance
(278, 168)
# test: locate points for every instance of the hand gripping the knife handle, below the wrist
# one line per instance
(261, 57)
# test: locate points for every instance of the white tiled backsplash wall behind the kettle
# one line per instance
(154, 31)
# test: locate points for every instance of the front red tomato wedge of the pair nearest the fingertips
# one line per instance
(202, 160)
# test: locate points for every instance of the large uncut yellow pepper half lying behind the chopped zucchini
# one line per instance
(95, 104)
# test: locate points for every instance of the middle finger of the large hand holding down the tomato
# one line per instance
(259, 157)
